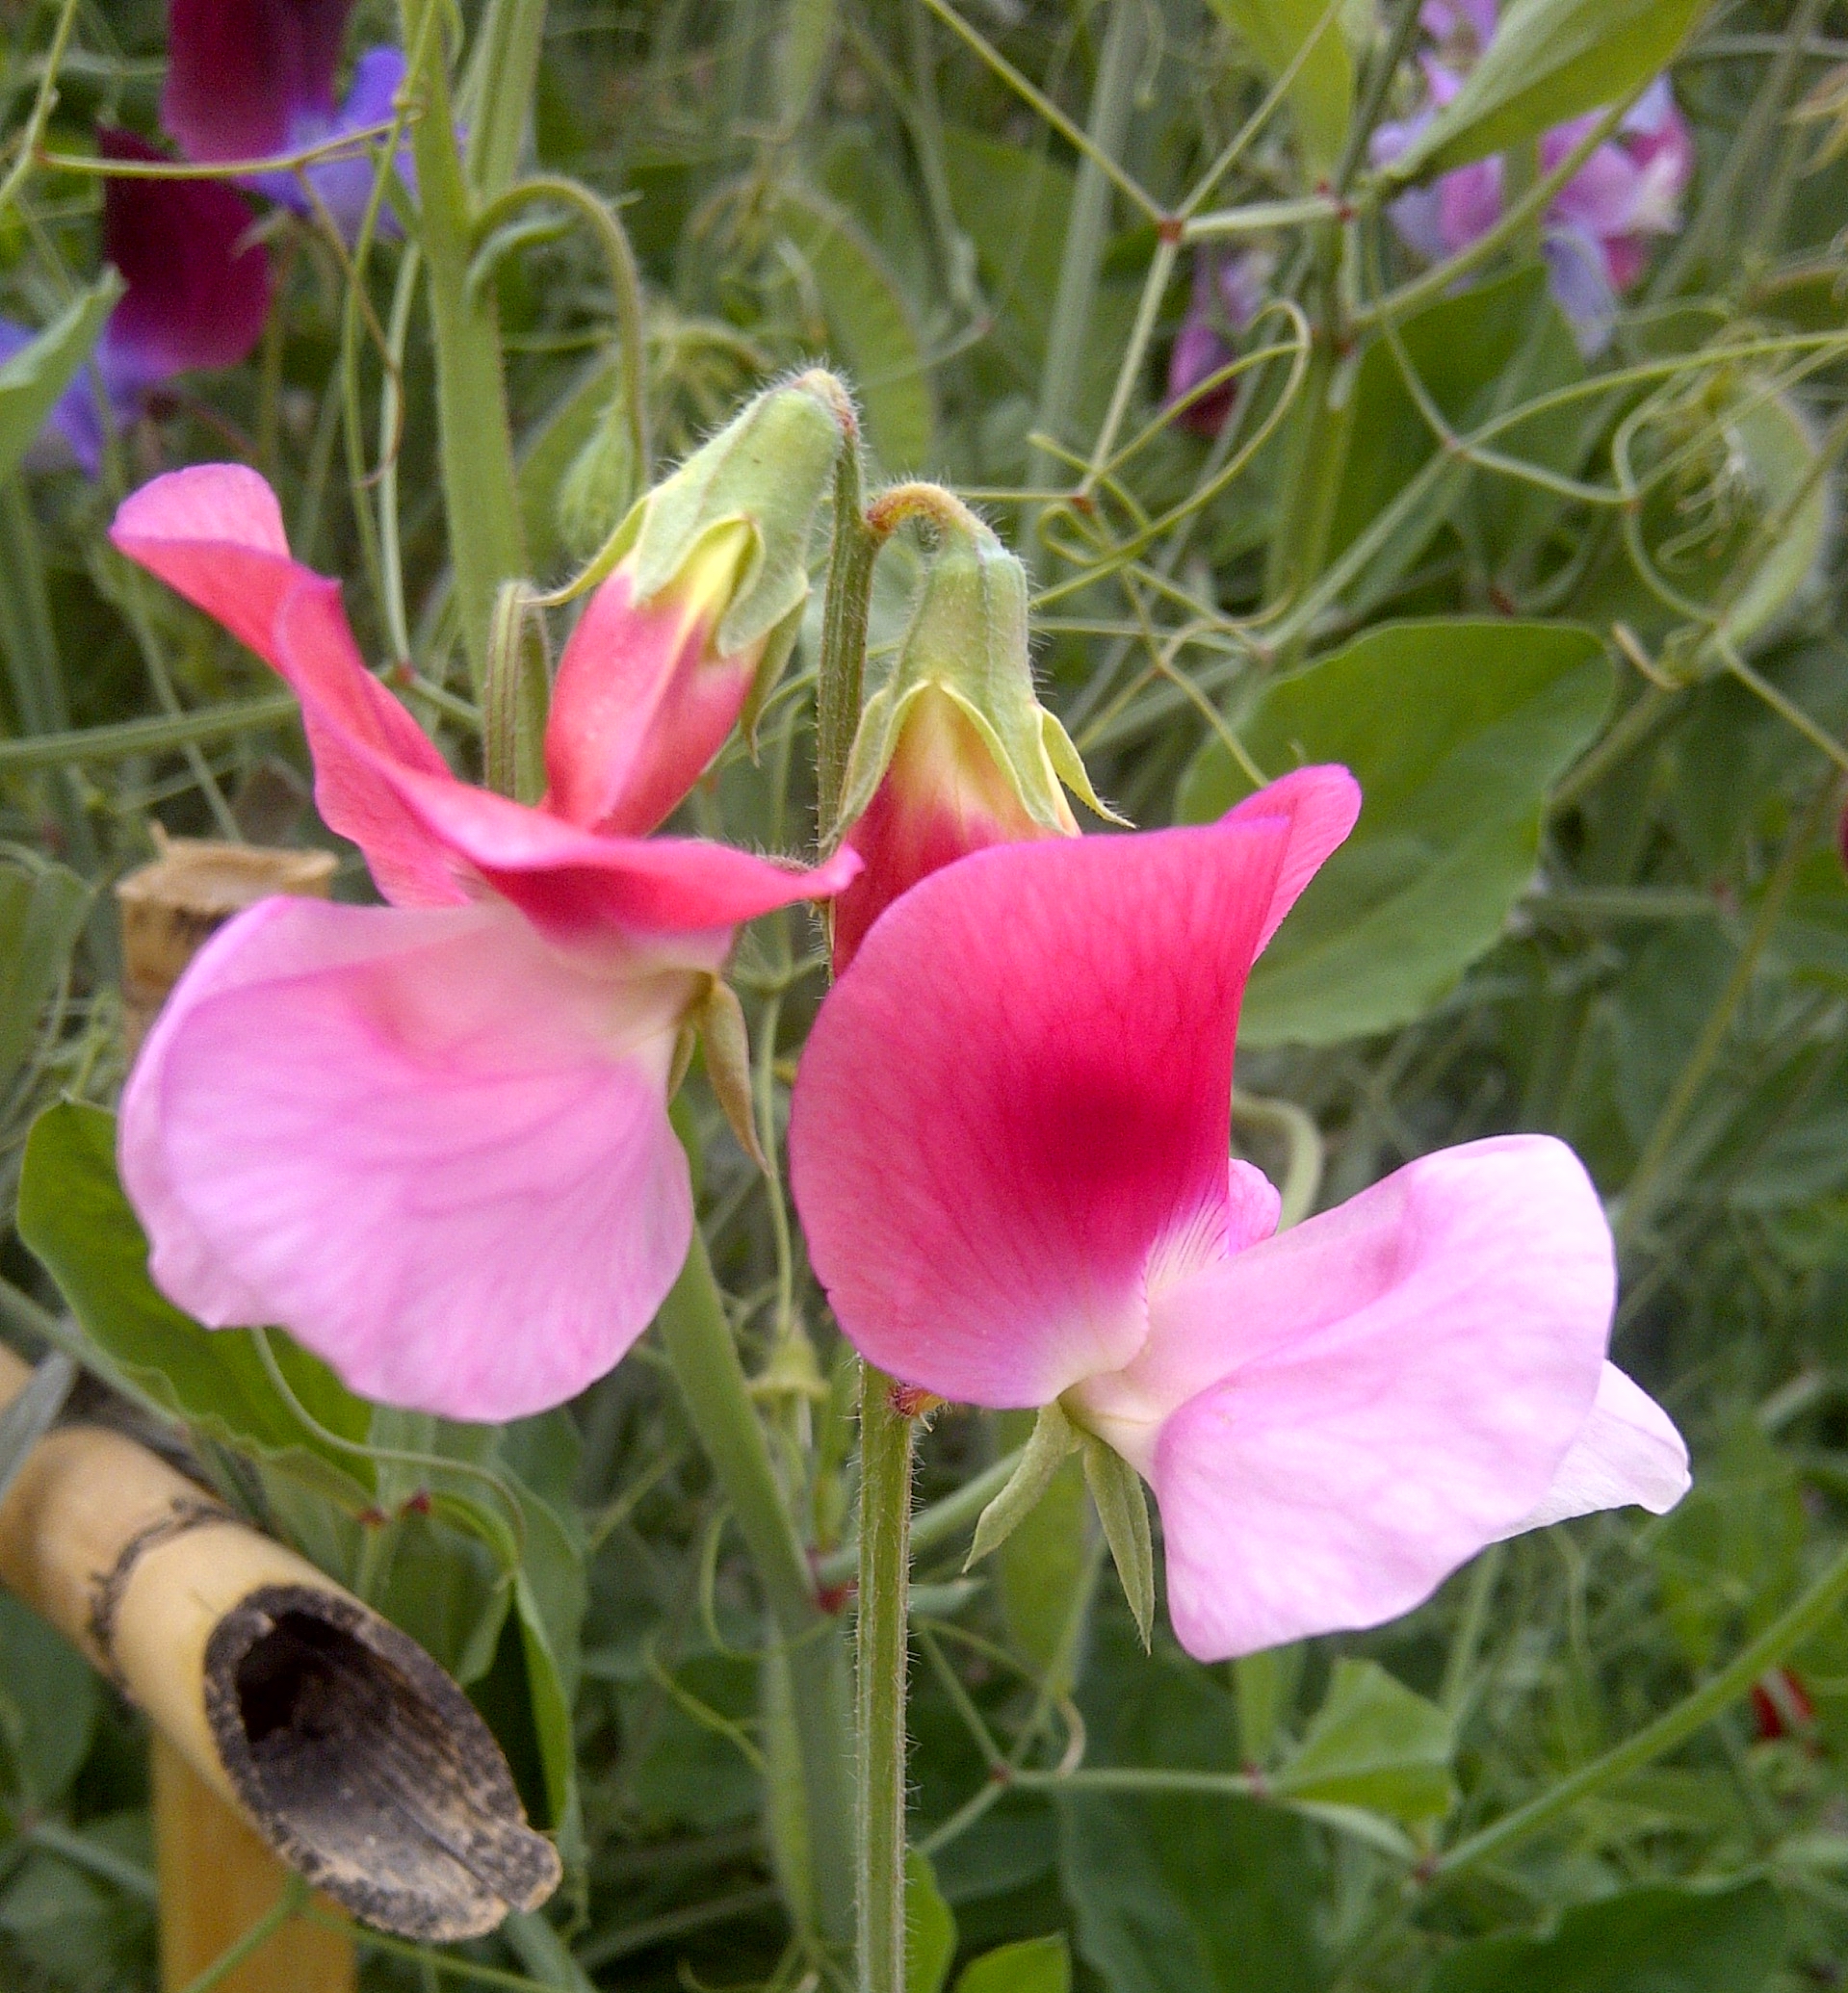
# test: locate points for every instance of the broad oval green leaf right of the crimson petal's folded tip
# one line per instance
(1450, 818)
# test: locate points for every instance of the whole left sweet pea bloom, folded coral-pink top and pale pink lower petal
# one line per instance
(432, 1139)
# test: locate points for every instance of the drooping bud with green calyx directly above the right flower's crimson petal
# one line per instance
(954, 752)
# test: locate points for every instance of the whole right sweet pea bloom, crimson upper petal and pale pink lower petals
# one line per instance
(1010, 1149)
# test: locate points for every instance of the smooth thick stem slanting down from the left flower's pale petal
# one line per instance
(705, 1358)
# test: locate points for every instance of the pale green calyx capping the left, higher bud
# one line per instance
(770, 469)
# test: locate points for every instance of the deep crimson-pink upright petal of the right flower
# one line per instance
(1020, 1091)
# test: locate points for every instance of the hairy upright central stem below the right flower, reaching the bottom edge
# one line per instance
(884, 1655)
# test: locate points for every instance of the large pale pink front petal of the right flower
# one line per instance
(1379, 1394)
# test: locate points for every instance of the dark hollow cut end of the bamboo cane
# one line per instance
(368, 1769)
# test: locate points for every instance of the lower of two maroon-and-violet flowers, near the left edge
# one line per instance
(196, 298)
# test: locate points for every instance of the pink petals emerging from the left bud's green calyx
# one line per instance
(639, 711)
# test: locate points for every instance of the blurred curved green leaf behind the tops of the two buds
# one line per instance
(870, 326)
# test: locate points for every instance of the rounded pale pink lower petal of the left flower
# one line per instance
(424, 1143)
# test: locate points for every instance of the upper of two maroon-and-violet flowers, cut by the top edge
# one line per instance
(256, 77)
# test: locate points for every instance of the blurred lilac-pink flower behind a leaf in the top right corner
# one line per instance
(1598, 228)
